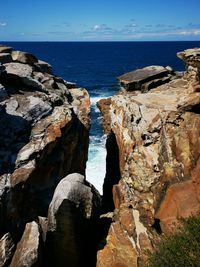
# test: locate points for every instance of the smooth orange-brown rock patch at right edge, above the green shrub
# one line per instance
(181, 201)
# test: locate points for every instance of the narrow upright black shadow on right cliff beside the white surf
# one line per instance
(112, 173)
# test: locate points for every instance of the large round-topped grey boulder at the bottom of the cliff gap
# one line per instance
(74, 206)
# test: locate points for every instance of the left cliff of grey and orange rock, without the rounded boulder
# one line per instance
(44, 137)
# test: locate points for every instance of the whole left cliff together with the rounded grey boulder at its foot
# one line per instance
(44, 137)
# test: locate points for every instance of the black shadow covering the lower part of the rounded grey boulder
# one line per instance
(73, 243)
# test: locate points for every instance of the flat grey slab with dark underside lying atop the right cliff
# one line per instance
(145, 79)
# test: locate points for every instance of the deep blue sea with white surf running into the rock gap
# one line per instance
(95, 66)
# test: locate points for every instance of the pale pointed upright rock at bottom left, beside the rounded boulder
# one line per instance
(28, 251)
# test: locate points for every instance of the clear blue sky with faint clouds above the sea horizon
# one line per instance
(101, 20)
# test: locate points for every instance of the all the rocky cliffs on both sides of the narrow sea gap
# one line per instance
(49, 214)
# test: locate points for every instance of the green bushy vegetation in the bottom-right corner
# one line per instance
(181, 249)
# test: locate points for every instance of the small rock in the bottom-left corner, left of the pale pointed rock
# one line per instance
(6, 249)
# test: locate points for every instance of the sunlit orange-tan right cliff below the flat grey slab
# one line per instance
(157, 134)
